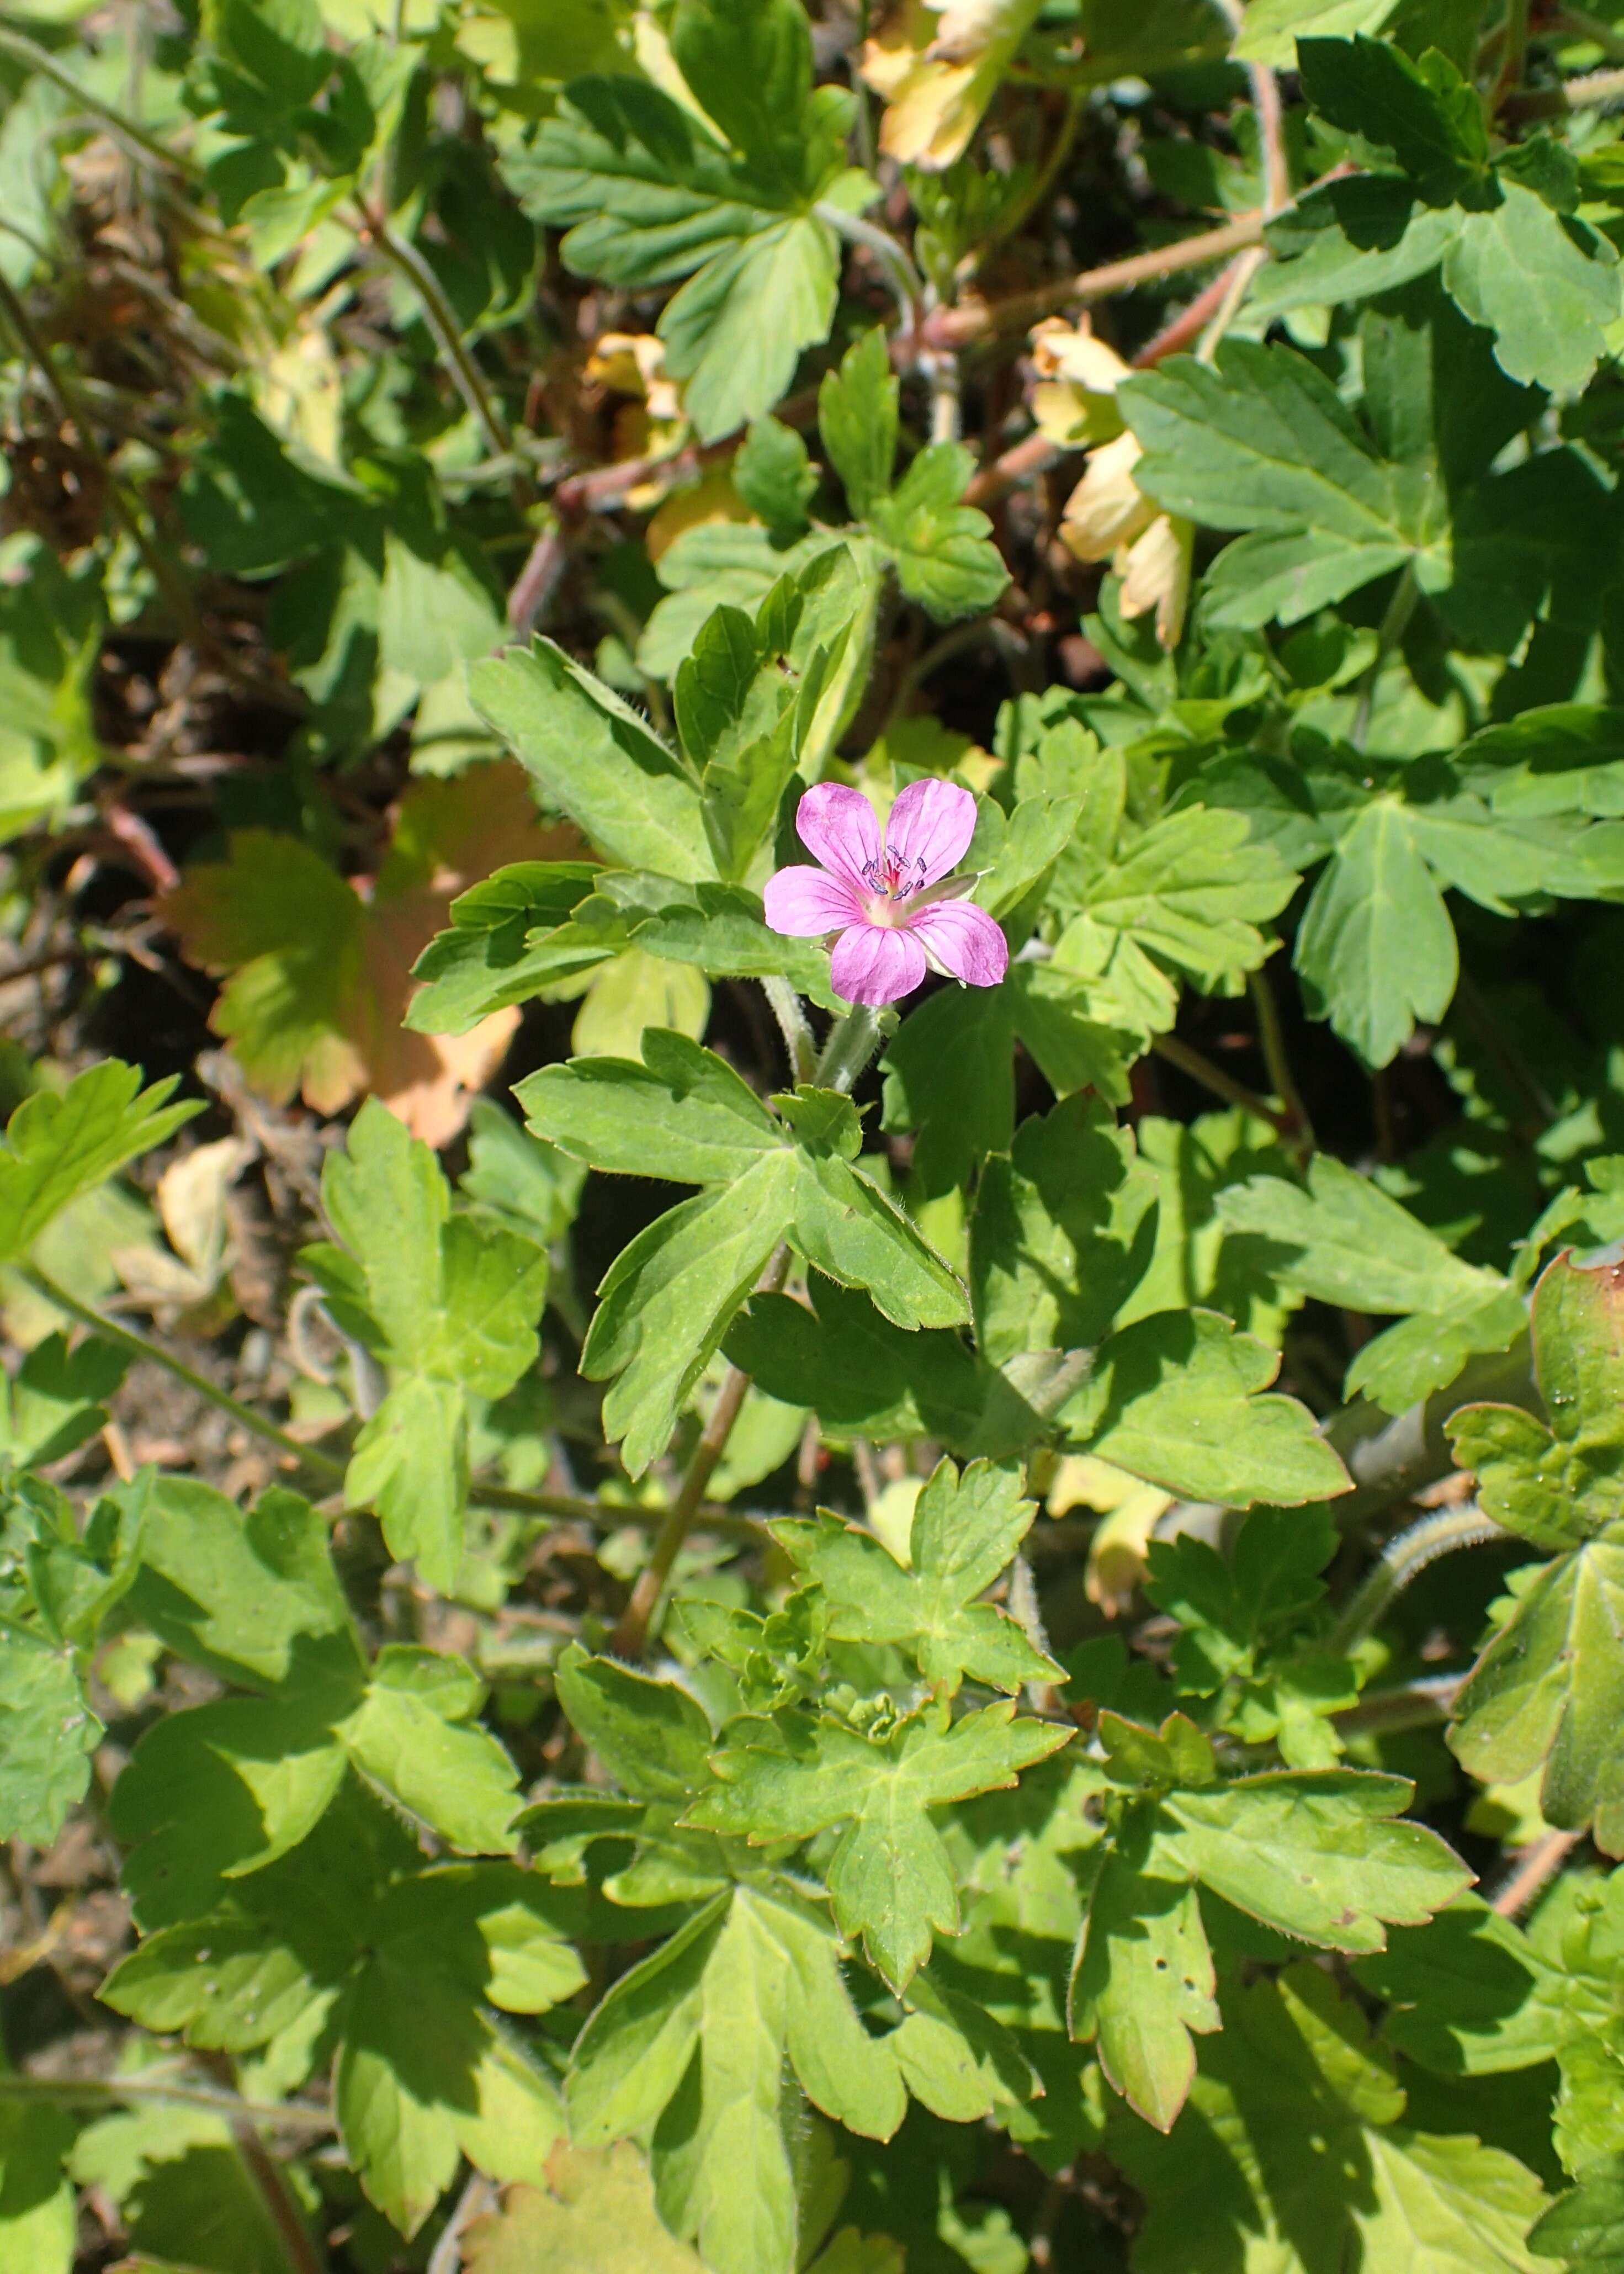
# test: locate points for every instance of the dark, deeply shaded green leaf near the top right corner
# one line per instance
(1425, 113)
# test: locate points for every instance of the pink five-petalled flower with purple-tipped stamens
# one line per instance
(893, 899)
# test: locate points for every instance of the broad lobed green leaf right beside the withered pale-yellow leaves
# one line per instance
(1263, 442)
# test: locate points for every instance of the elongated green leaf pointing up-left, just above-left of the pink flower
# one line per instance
(595, 761)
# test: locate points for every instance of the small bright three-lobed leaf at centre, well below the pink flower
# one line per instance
(966, 1532)
